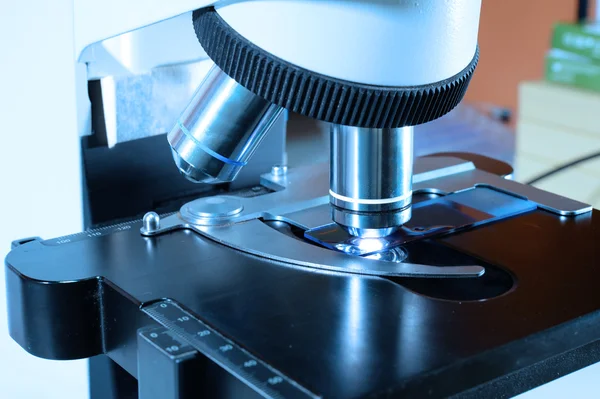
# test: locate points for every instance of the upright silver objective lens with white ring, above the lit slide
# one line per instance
(371, 179)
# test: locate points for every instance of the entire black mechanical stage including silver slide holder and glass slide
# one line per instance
(491, 303)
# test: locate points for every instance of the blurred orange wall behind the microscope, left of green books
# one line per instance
(514, 35)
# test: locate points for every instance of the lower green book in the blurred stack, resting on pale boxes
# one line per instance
(572, 69)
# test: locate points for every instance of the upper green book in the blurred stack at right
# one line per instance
(583, 40)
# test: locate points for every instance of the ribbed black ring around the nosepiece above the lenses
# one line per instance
(322, 97)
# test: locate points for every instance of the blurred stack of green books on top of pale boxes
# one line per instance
(575, 56)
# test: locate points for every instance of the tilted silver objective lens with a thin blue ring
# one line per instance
(220, 129)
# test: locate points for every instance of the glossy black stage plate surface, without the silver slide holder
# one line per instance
(337, 335)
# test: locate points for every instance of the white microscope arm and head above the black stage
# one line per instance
(56, 48)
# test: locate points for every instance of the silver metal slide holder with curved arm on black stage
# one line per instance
(300, 199)
